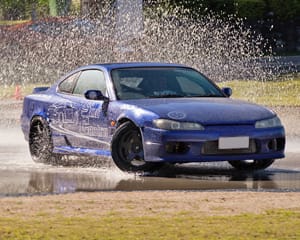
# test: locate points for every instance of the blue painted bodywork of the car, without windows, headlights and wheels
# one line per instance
(82, 126)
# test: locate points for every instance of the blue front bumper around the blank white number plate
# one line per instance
(202, 146)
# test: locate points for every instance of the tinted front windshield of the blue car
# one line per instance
(162, 82)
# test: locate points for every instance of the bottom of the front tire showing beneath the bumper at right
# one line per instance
(251, 165)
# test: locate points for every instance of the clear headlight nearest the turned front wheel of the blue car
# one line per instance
(175, 125)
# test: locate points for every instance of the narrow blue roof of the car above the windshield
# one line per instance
(111, 66)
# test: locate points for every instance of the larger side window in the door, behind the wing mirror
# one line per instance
(90, 80)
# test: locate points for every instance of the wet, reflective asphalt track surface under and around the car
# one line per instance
(19, 175)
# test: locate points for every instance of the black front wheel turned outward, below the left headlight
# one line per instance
(127, 149)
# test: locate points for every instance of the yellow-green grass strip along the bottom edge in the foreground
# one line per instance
(279, 224)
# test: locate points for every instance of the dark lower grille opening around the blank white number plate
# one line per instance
(211, 148)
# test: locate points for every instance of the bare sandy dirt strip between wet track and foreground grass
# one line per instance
(149, 203)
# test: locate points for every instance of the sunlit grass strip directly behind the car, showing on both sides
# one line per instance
(270, 93)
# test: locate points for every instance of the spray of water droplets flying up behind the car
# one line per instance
(43, 51)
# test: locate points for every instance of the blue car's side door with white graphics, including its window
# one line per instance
(90, 122)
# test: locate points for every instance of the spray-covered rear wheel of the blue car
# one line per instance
(40, 142)
